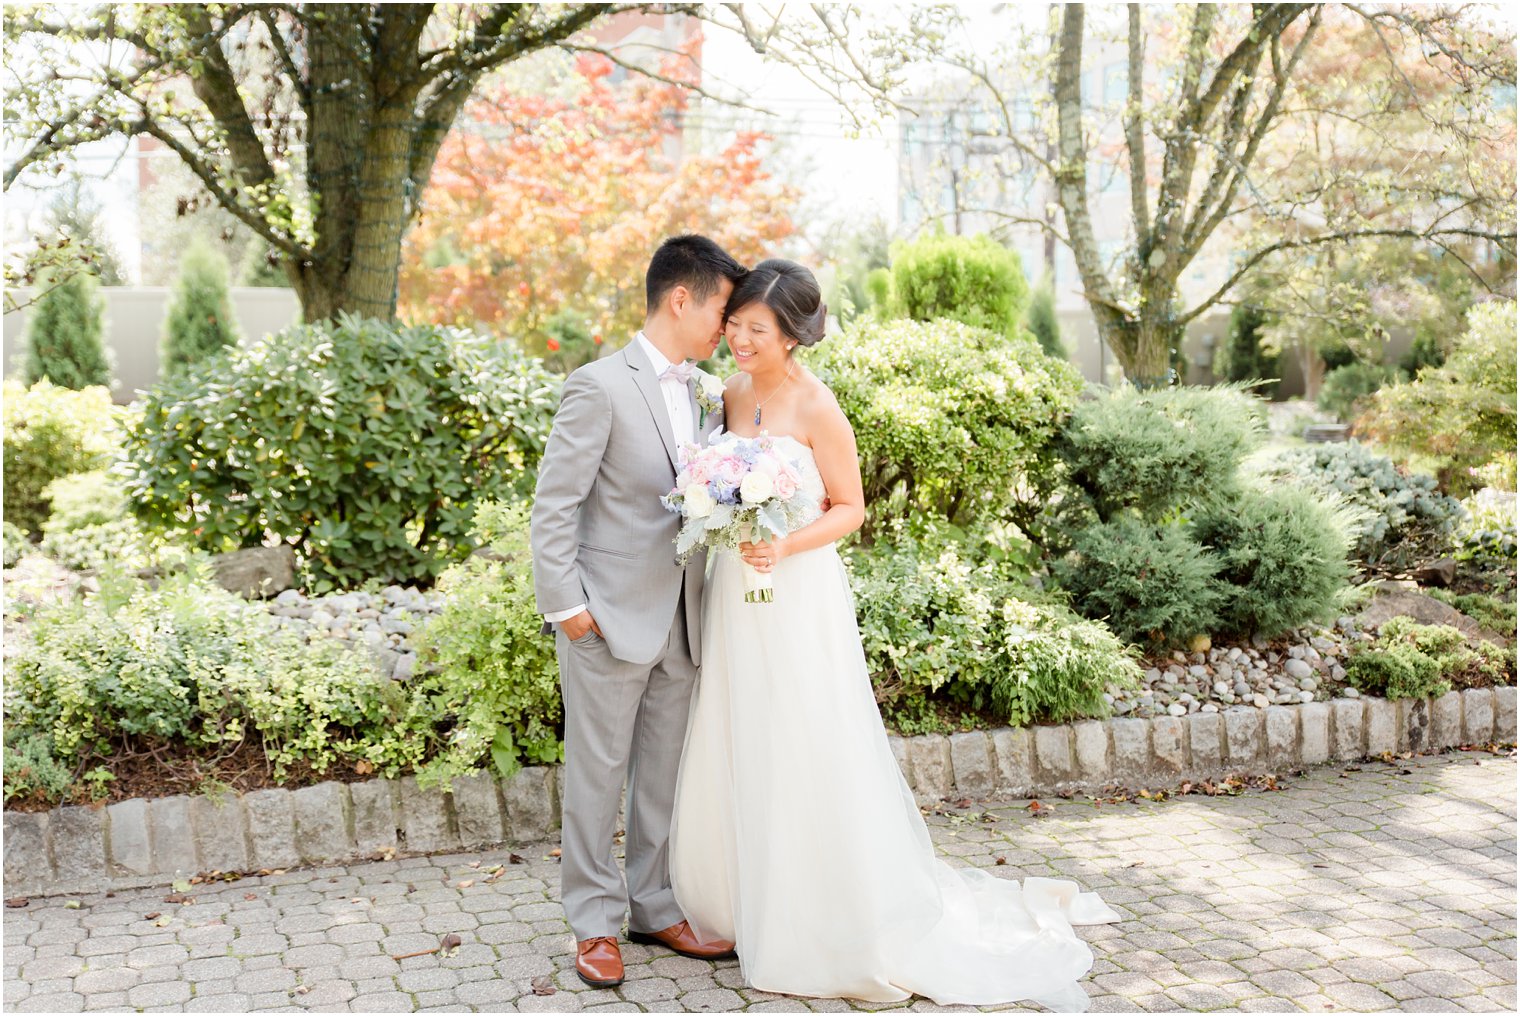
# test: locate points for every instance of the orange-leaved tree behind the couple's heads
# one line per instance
(543, 211)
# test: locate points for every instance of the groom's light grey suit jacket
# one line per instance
(600, 533)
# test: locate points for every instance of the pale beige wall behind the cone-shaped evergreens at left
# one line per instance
(135, 322)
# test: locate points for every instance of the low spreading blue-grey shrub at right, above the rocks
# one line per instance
(1404, 519)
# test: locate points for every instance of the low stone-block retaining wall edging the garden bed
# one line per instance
(145, 842)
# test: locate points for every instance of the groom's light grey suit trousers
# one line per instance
(622, 720)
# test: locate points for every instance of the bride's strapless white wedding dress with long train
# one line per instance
(797, 837)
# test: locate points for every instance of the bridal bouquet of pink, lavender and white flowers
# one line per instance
(735, 492)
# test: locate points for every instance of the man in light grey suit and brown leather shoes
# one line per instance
(627, 615)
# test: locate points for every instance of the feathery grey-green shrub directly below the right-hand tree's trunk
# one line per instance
(1156, 451)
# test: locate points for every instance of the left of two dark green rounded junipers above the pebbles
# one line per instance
(1150, 583)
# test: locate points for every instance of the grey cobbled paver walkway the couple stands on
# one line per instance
(1357, 889)
